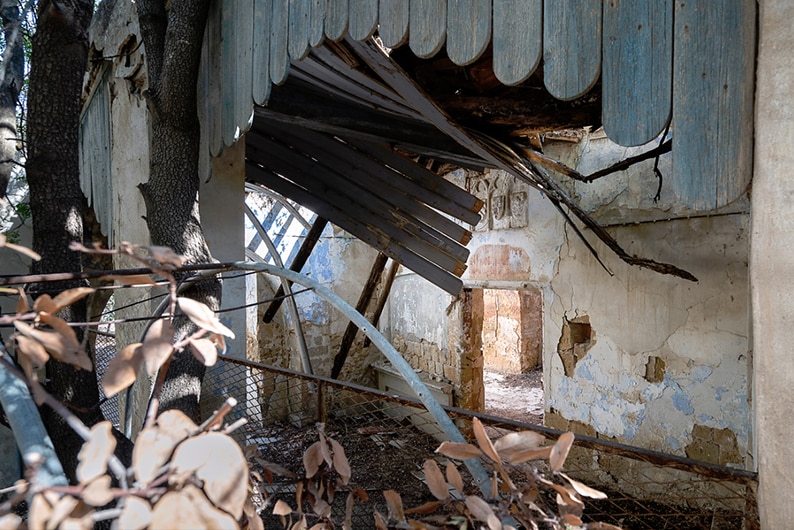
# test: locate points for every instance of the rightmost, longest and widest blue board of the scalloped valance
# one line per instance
(713, 101)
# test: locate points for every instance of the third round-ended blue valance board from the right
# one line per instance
(572, 46)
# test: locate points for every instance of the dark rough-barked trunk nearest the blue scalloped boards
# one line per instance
(173, 38)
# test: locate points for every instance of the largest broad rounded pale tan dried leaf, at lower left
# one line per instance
(218, 461)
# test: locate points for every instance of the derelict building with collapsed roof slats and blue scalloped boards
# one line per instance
(447, 166)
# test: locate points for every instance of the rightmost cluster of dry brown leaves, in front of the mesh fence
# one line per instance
(508, 504)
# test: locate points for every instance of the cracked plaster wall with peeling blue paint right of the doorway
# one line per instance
(699, 331)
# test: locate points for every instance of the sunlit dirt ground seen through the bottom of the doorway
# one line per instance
(517, 397)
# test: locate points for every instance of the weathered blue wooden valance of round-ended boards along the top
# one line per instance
(689, 61)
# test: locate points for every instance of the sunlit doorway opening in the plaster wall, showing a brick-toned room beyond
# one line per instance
(512, 339)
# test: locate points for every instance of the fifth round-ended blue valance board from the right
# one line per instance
(468, 29)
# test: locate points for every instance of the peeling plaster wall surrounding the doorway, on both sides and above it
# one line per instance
(693, 400)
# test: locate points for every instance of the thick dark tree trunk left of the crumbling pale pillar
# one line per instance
(58, 63)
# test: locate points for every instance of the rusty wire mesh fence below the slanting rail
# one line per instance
(388, 437)
